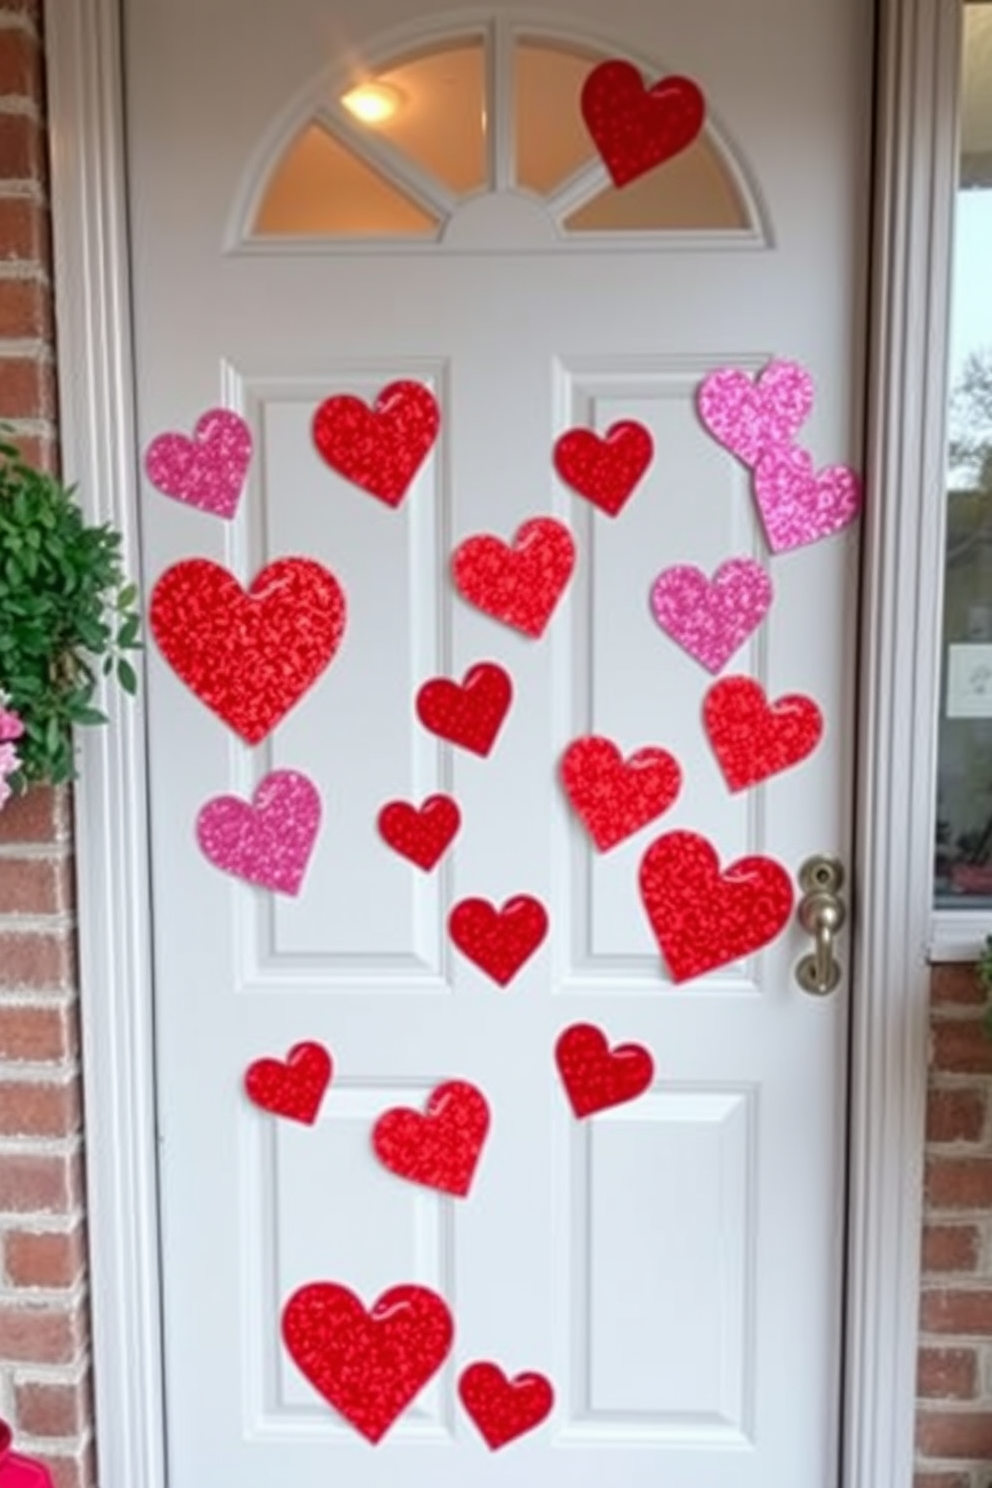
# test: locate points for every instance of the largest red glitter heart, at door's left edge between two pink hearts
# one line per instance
(251, 655)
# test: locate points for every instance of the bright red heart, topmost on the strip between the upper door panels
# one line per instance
(518, 584)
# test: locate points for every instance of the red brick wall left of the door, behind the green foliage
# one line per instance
(44, 1352)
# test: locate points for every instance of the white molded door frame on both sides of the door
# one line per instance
(914, 176)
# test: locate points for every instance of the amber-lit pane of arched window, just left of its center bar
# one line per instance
(441, 115)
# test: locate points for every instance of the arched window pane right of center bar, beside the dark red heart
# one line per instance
(553, 141)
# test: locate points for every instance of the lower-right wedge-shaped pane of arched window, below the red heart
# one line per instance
(692, 191)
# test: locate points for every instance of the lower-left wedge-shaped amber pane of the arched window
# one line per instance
(322, 188)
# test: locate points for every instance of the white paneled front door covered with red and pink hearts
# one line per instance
(657, 1234)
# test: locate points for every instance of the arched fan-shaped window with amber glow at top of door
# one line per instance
(398, 151)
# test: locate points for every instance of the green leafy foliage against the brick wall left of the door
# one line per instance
(68, 617)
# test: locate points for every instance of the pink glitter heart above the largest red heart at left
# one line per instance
(207, 471)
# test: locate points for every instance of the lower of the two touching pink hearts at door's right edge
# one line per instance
(801, 505)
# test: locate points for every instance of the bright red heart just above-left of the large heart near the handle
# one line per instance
(615, 797)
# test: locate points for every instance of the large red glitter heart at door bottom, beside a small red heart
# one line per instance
(370, 1367)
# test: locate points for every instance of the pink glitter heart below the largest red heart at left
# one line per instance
(270, 841)
